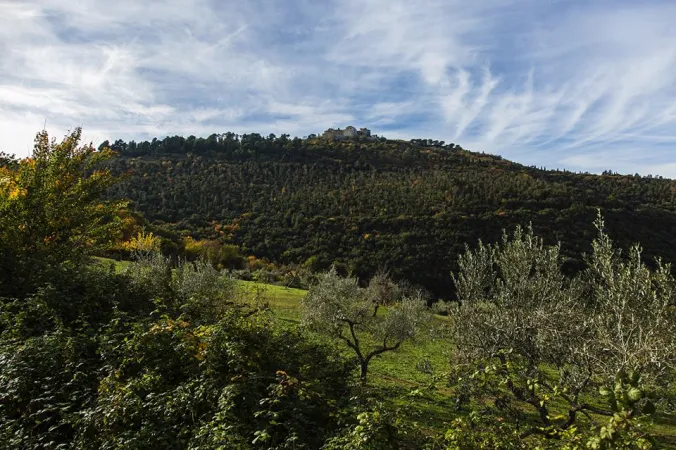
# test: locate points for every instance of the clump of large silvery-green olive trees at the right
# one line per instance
(614, 324)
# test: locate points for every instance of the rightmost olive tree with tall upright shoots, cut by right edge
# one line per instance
(632, 310)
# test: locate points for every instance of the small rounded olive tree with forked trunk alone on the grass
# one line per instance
(338, 307)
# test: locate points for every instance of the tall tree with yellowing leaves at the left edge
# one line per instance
(52, 211)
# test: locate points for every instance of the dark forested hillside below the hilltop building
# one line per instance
(407, 207)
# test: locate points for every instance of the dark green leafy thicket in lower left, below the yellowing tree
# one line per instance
(119, 377)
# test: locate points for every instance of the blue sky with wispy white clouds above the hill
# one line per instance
(585, 85)
